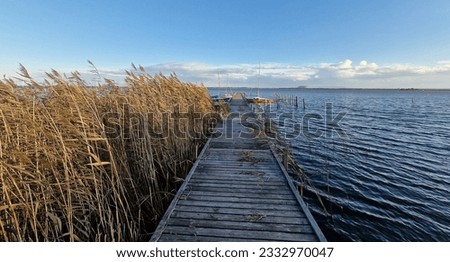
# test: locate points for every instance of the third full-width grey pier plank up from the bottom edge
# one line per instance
(241, 218)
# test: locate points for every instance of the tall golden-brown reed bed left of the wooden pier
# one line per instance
(81, 163)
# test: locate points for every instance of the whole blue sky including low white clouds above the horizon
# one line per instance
(299, 42)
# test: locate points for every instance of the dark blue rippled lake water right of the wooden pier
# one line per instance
(386, 175)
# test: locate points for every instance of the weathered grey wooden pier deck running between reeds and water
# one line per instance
(237, 190)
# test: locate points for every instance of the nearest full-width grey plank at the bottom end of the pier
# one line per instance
(242, 234)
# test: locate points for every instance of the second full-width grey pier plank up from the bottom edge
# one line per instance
(242, 225)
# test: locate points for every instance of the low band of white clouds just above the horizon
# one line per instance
(346, 73)
